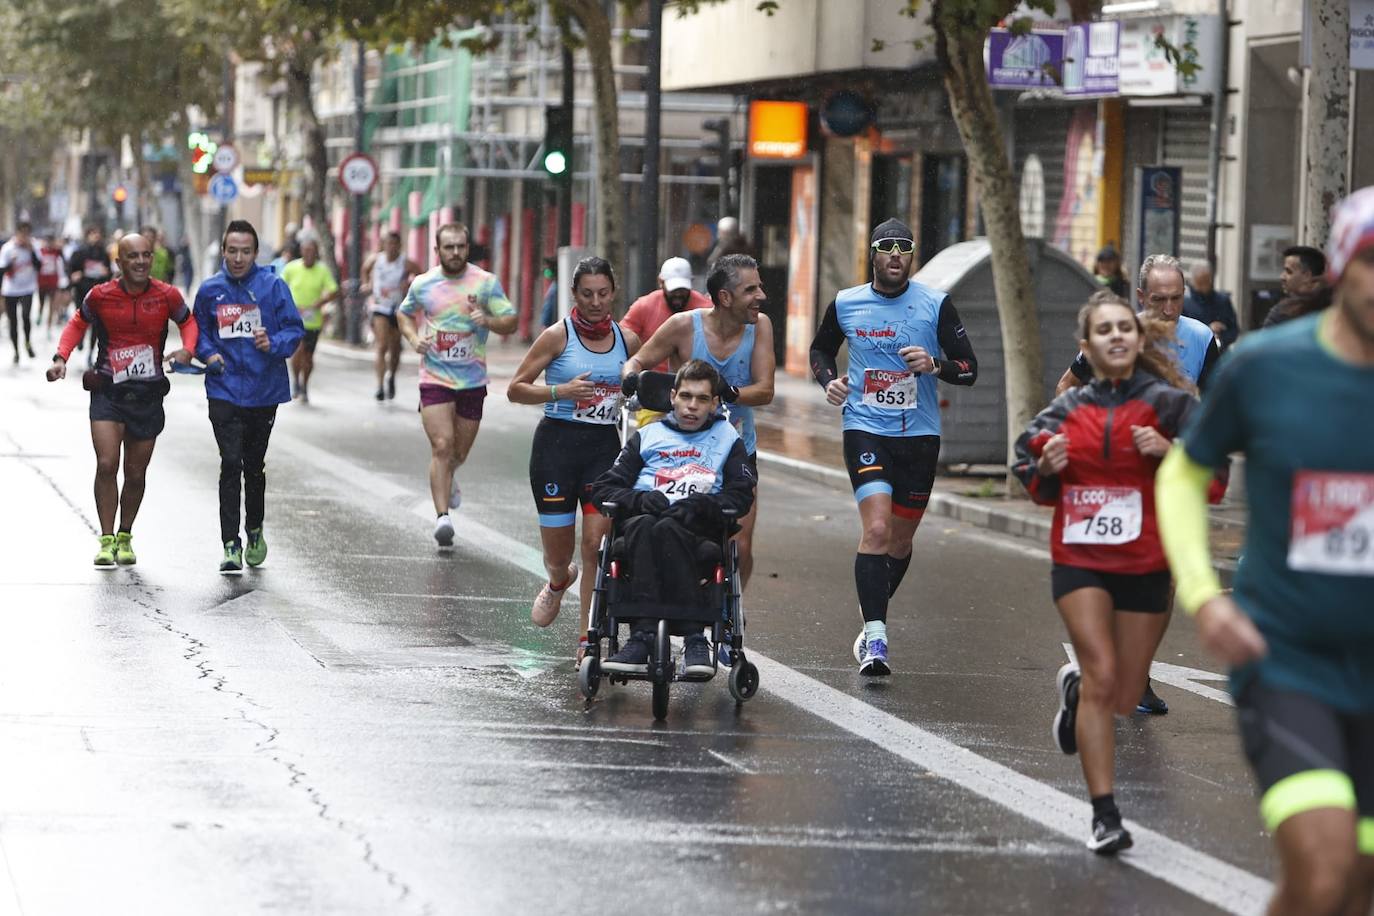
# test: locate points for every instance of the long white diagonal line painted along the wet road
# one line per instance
(1207, 878)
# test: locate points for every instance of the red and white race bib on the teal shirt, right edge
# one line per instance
(1333, 524)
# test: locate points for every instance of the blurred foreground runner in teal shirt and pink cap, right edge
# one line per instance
(1299, 630)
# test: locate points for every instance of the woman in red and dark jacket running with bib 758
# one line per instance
(1093, 455)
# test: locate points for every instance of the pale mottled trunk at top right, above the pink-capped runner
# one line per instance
(1328, 115)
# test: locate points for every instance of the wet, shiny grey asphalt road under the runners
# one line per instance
(369, 726)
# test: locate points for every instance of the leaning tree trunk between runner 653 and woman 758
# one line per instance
(960, 49)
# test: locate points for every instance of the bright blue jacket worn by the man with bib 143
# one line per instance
(252, 378)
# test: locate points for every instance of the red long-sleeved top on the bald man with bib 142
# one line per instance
(127, 326)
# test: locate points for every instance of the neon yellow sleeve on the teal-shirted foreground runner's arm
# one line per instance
(1181, 512)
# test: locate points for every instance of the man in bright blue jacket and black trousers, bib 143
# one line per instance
(249, 326)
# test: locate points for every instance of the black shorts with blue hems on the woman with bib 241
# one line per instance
(564, 463)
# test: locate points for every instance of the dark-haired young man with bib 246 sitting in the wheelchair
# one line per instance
(673, 485)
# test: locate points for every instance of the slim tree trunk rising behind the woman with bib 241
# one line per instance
(611, 201)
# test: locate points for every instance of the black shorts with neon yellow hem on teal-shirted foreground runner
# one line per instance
(1289, 735)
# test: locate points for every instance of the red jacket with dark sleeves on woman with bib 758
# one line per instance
(1104, 501)
